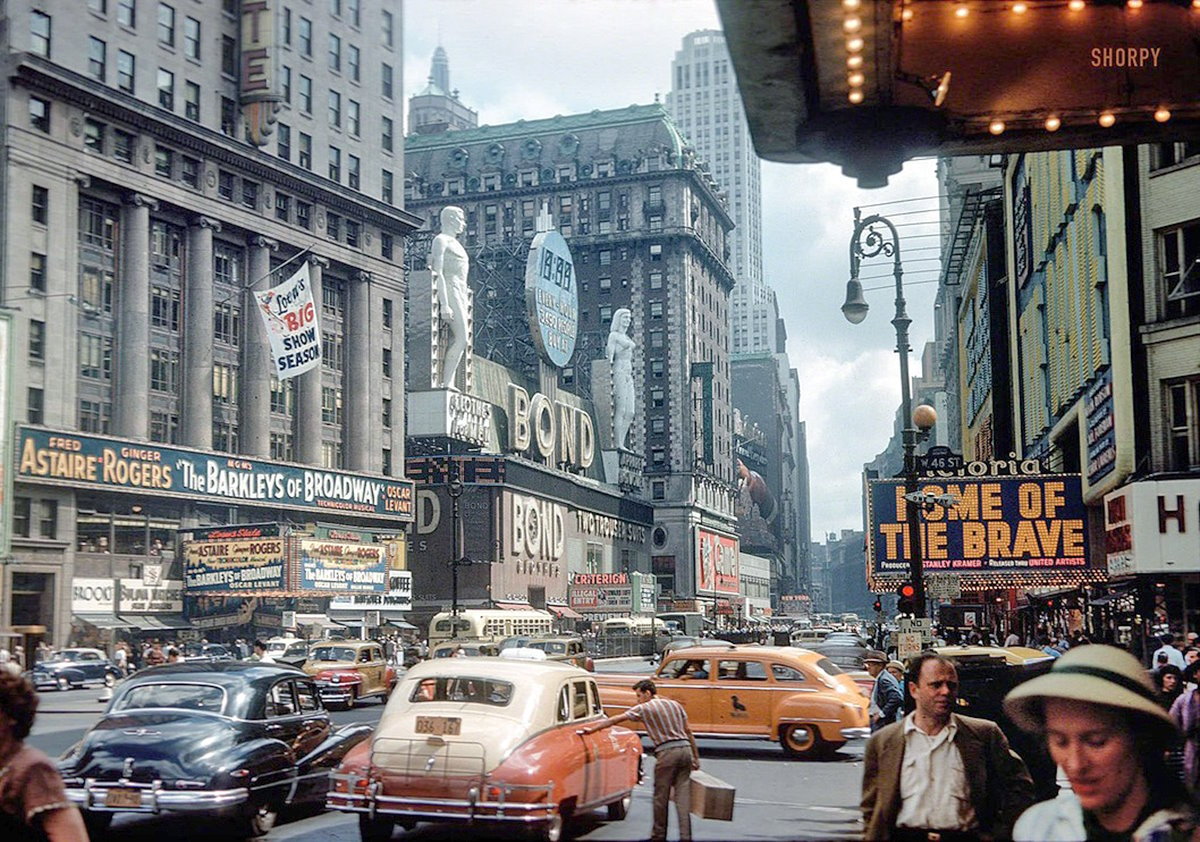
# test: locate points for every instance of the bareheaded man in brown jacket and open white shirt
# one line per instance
(939, 777)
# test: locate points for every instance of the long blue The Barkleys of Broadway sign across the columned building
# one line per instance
(137, 467)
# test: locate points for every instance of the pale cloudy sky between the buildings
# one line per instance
(532, 59)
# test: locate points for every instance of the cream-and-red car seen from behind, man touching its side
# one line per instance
(488, 741)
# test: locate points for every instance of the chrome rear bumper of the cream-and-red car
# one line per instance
(471, 809)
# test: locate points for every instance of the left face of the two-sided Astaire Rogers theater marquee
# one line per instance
(245, 567)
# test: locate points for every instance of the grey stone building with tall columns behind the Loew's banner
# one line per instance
(161, 159)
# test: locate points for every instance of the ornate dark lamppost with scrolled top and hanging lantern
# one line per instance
(868, 242)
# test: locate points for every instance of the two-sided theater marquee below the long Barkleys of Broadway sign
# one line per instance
(275, 566)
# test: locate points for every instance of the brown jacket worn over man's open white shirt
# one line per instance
(1000, 784)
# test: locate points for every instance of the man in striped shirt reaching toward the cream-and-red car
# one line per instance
(675, 755)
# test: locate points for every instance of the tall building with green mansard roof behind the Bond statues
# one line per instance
(647, 231)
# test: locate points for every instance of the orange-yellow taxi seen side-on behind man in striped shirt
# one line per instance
(781, 694)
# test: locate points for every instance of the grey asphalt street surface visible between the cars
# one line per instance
(777, 798)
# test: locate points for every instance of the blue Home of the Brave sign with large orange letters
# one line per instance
(999, 531)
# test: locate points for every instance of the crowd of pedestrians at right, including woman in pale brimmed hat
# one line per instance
(1126, 743)
